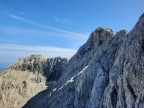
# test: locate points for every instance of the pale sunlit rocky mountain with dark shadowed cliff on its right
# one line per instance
(27, 77)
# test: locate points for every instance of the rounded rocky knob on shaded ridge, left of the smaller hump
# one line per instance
(97, 38)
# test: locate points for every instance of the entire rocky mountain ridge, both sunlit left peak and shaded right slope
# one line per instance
(106, 72)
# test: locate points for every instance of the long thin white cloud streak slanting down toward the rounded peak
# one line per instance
(40, 25)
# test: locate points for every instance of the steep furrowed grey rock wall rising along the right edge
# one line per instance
(126, 77)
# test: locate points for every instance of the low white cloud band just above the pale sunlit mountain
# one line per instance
(10, 53)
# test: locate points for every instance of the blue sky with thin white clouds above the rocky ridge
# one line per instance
(59, 27)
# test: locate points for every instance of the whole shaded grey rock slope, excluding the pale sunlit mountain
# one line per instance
(106, 72)
